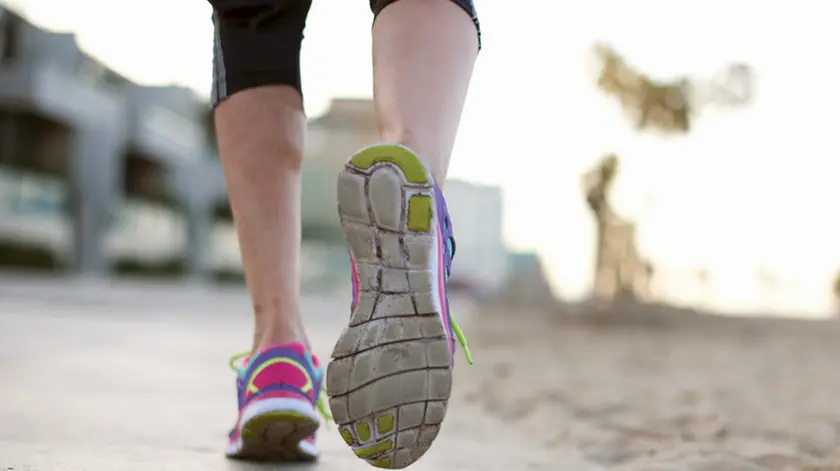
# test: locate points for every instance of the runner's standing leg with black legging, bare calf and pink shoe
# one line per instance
(260, 127)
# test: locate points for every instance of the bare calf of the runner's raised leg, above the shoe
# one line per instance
(423, 57)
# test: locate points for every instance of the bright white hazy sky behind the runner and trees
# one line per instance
(746, 192)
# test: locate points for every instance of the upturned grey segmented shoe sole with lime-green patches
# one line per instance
(390, 377)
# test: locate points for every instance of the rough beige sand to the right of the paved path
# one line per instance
(700, 394)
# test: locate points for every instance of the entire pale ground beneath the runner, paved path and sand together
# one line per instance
(662, 392)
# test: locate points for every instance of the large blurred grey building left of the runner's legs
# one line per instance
(130, 166)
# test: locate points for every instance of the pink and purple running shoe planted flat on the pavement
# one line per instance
(279, 390)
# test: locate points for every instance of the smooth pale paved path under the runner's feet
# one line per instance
(133, 376)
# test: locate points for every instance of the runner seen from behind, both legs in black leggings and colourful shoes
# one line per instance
(392, 366)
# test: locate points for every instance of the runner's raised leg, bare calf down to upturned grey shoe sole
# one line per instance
(390, 379)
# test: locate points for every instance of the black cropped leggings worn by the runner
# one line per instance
(257, 42)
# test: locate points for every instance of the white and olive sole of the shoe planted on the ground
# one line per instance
(274, 434)
